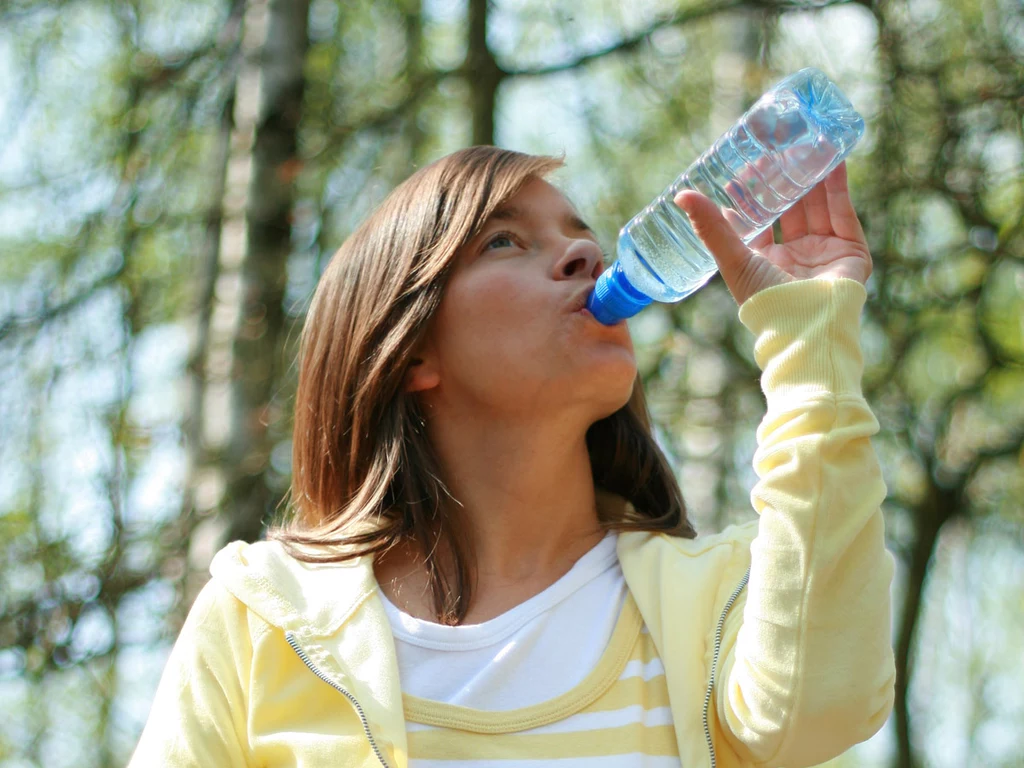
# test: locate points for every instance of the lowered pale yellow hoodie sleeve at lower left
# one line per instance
(199, 714)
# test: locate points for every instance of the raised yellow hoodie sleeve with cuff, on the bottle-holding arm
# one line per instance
(807, 668)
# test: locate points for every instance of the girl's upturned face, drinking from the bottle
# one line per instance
(510, 338)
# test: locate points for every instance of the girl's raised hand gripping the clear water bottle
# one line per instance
(822, 239)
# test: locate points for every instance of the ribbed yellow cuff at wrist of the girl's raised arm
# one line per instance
(807, 338)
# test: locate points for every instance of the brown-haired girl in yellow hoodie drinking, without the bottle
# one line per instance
(490, 562)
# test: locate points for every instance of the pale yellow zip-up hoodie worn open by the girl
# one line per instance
(775, 634)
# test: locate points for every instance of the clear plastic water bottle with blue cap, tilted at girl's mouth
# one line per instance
(785, 145)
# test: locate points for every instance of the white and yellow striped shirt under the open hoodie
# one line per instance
(569, 678)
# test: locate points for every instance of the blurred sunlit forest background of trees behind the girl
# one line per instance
(176, 175)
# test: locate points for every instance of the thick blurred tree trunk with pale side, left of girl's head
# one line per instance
(247, 323)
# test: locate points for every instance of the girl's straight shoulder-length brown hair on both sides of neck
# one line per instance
(365, 476)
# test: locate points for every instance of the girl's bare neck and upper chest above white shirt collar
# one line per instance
(527, 496)
